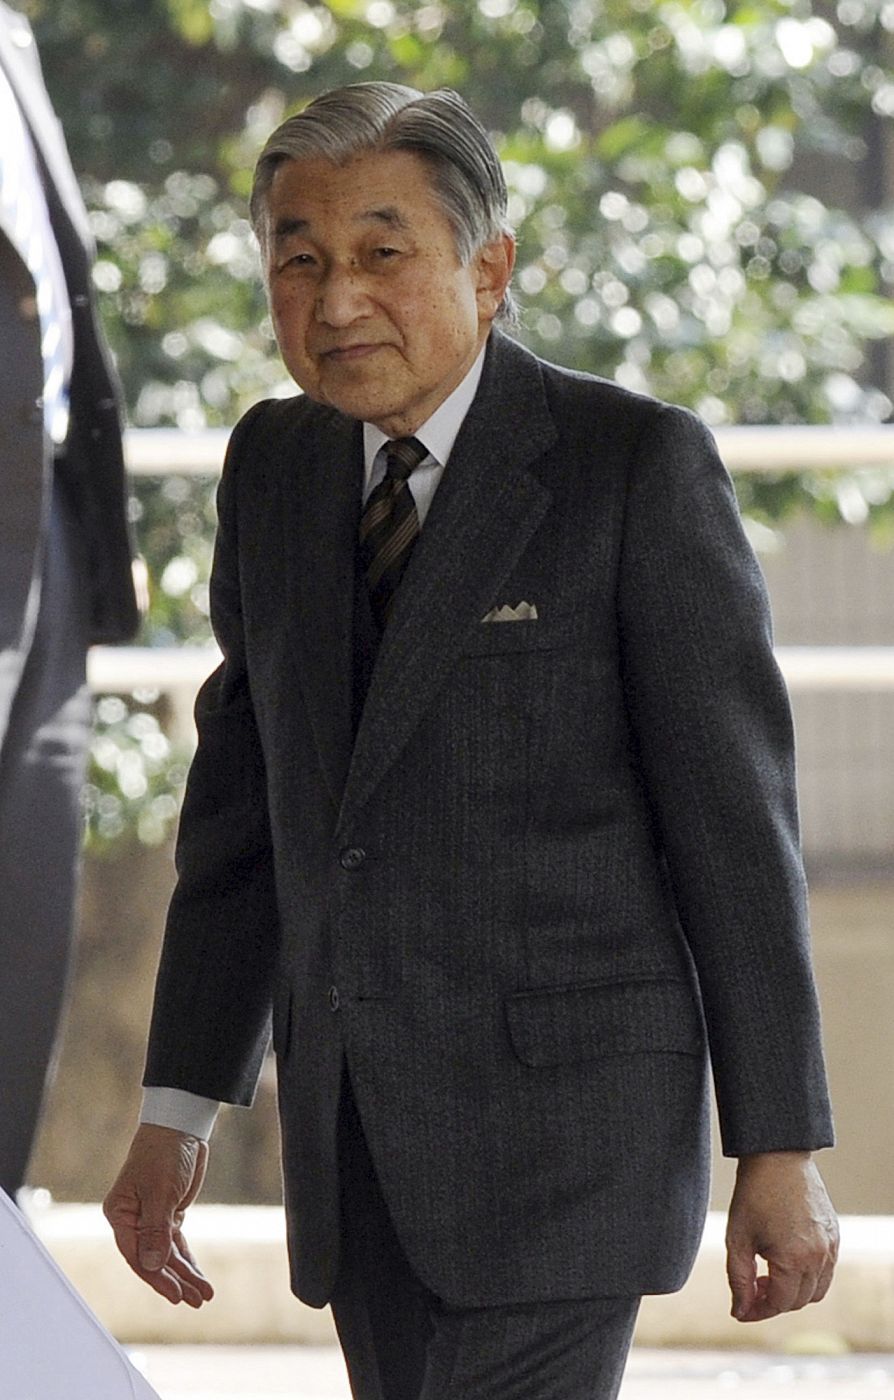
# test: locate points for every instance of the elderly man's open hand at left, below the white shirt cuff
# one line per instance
(146, 1206)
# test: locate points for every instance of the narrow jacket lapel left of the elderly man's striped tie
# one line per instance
(321, 498)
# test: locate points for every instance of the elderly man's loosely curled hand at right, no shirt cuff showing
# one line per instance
(781, 1212)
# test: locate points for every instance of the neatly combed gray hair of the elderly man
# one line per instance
(439, 127)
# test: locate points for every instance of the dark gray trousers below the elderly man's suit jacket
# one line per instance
(402, 1343)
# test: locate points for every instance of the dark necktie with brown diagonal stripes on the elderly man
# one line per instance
(390, 526)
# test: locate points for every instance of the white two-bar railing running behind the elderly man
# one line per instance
(178, 671)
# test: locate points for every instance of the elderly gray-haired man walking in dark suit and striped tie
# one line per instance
(493, 808)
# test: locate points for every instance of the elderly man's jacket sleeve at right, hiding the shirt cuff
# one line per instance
(714, 744)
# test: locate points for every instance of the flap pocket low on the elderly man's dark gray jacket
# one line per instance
(563, 1025)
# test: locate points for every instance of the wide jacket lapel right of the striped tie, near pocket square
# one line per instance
(485, 513)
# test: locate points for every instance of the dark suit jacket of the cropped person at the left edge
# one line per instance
(93, 467)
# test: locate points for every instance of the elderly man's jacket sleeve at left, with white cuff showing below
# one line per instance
(213, 995)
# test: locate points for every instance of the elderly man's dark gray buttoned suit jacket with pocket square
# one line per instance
(559, 863)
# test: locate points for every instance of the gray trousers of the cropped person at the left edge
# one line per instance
(43, 757)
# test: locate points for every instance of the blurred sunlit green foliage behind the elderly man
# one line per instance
(697, 188)
